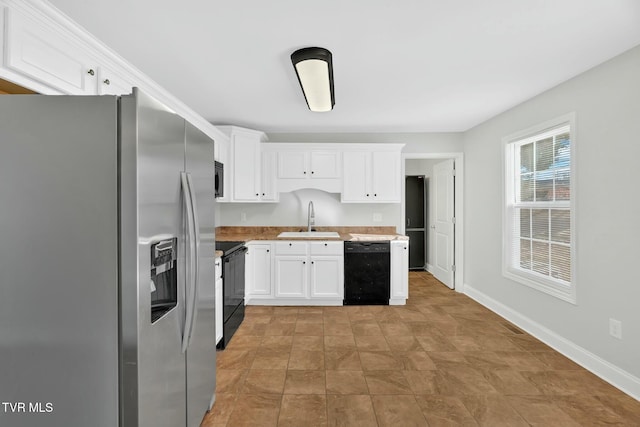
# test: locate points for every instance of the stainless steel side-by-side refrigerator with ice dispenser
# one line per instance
(106, 263)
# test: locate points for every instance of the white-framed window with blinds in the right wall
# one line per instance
(538, 234)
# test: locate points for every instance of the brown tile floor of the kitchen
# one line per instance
(441, 360)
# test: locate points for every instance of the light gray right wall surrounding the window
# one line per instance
(606, 101)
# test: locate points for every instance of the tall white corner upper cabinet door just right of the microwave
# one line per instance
(246, 168)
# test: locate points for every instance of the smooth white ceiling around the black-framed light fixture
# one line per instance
(399, 66)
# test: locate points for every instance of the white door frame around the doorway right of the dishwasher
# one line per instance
(458, 253)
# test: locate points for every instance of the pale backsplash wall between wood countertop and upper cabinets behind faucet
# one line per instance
(292, 210)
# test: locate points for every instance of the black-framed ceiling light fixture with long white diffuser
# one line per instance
(314, 69)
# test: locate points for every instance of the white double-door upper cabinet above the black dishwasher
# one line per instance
(372, 176)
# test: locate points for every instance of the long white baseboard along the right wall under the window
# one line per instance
(614, 375)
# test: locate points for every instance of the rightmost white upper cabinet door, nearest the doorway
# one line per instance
(385, 176)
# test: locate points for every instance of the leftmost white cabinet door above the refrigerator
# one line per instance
(48, 54)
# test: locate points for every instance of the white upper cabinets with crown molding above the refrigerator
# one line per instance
(42, 50)
